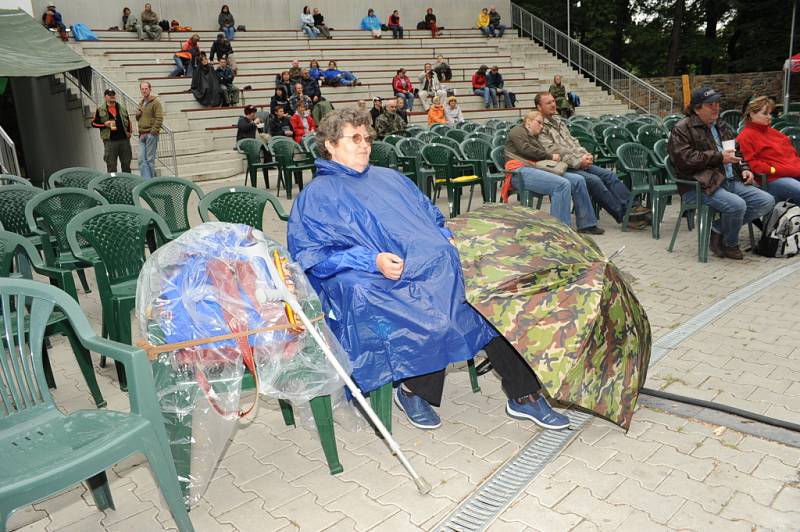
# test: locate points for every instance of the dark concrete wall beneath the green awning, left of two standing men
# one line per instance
(52, 136)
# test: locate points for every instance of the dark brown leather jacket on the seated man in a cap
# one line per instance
(692, 150)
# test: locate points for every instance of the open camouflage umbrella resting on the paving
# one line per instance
(560, 302)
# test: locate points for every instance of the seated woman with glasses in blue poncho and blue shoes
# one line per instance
(389, 278)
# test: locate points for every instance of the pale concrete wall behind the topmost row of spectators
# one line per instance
(275, 14)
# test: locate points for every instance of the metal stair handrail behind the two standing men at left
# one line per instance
(93, 88)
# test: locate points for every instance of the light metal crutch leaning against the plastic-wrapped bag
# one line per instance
(422, 485)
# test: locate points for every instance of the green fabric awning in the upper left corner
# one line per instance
(28, 49)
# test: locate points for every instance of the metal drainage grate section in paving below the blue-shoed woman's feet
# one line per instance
(482, 507)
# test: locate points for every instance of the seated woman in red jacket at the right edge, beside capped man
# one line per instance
(768, 151)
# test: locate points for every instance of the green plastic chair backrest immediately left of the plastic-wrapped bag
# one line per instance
(117, 234)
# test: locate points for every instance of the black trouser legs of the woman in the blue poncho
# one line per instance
(516, 376)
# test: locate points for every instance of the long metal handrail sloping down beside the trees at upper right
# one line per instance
(636, 92)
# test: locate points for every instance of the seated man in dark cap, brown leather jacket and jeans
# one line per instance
(697, 149)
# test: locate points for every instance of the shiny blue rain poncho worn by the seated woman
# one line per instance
(392, 330)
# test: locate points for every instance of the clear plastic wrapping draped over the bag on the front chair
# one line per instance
(214, 281)
